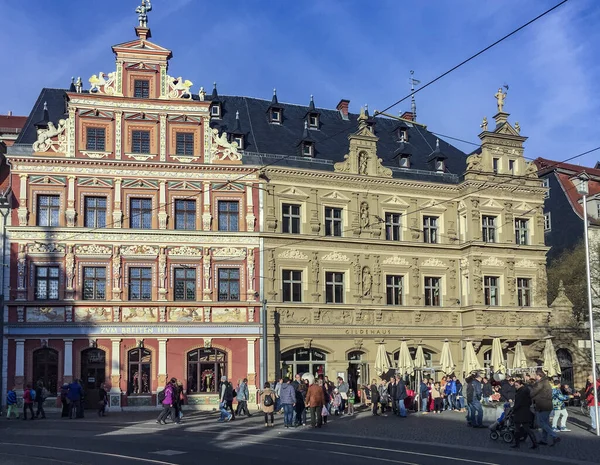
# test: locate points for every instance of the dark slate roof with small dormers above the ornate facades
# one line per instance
(278, 144)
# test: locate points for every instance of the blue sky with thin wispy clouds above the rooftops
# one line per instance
(334, 49)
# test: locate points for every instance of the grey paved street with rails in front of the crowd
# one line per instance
(127, 438)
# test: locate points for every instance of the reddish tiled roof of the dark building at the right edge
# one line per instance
(565, 173)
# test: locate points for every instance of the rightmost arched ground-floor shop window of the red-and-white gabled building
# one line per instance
(205, 368)
